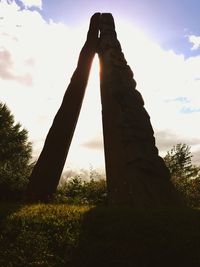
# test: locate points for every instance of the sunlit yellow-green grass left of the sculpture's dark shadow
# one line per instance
(39, 235)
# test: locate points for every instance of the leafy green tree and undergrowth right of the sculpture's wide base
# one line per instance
(184, 175)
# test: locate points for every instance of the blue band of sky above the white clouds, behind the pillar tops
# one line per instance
(168, 22)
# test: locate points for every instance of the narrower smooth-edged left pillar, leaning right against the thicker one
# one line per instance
(47, 171)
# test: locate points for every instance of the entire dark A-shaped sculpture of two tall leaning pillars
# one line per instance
(136, 175)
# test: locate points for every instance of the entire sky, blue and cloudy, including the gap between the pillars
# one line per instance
(40, 41)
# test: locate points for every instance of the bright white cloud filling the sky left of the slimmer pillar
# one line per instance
(37, 53)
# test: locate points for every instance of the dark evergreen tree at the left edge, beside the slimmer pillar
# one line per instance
(15, 156)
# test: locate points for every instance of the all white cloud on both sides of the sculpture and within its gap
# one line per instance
(44, 55)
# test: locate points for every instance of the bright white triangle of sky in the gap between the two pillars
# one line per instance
(86, 147)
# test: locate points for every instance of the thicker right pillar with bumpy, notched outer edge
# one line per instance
(136, 175)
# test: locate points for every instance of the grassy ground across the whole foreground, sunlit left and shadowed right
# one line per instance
(60, 235)
